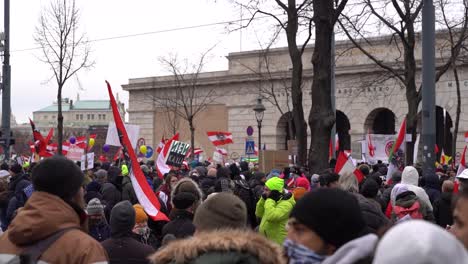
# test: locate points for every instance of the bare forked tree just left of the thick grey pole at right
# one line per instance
(401, 20)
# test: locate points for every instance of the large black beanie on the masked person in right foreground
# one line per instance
(332, 213)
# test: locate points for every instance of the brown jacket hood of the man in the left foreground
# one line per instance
(42, 215)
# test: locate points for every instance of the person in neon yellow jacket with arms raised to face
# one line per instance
(274, 208)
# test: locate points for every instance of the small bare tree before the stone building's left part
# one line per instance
(184, 98)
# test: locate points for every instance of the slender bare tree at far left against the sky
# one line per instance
(64, 48)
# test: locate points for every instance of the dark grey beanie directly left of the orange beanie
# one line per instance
(122, 218)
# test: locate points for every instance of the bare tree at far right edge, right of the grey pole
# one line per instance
(456, 28)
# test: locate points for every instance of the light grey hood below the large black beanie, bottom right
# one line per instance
(354, 250)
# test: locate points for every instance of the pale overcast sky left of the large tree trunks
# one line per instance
(119, 59)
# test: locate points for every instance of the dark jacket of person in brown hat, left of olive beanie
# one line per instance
(181, 225)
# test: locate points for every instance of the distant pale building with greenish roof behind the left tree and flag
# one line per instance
(81, 113)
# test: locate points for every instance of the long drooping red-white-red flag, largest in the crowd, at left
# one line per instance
(143, 191)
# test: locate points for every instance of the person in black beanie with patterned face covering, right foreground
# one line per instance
(323, 221)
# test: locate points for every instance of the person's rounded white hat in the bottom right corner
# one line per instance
(421, 242)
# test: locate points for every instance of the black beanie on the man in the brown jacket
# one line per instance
(59, 176)
